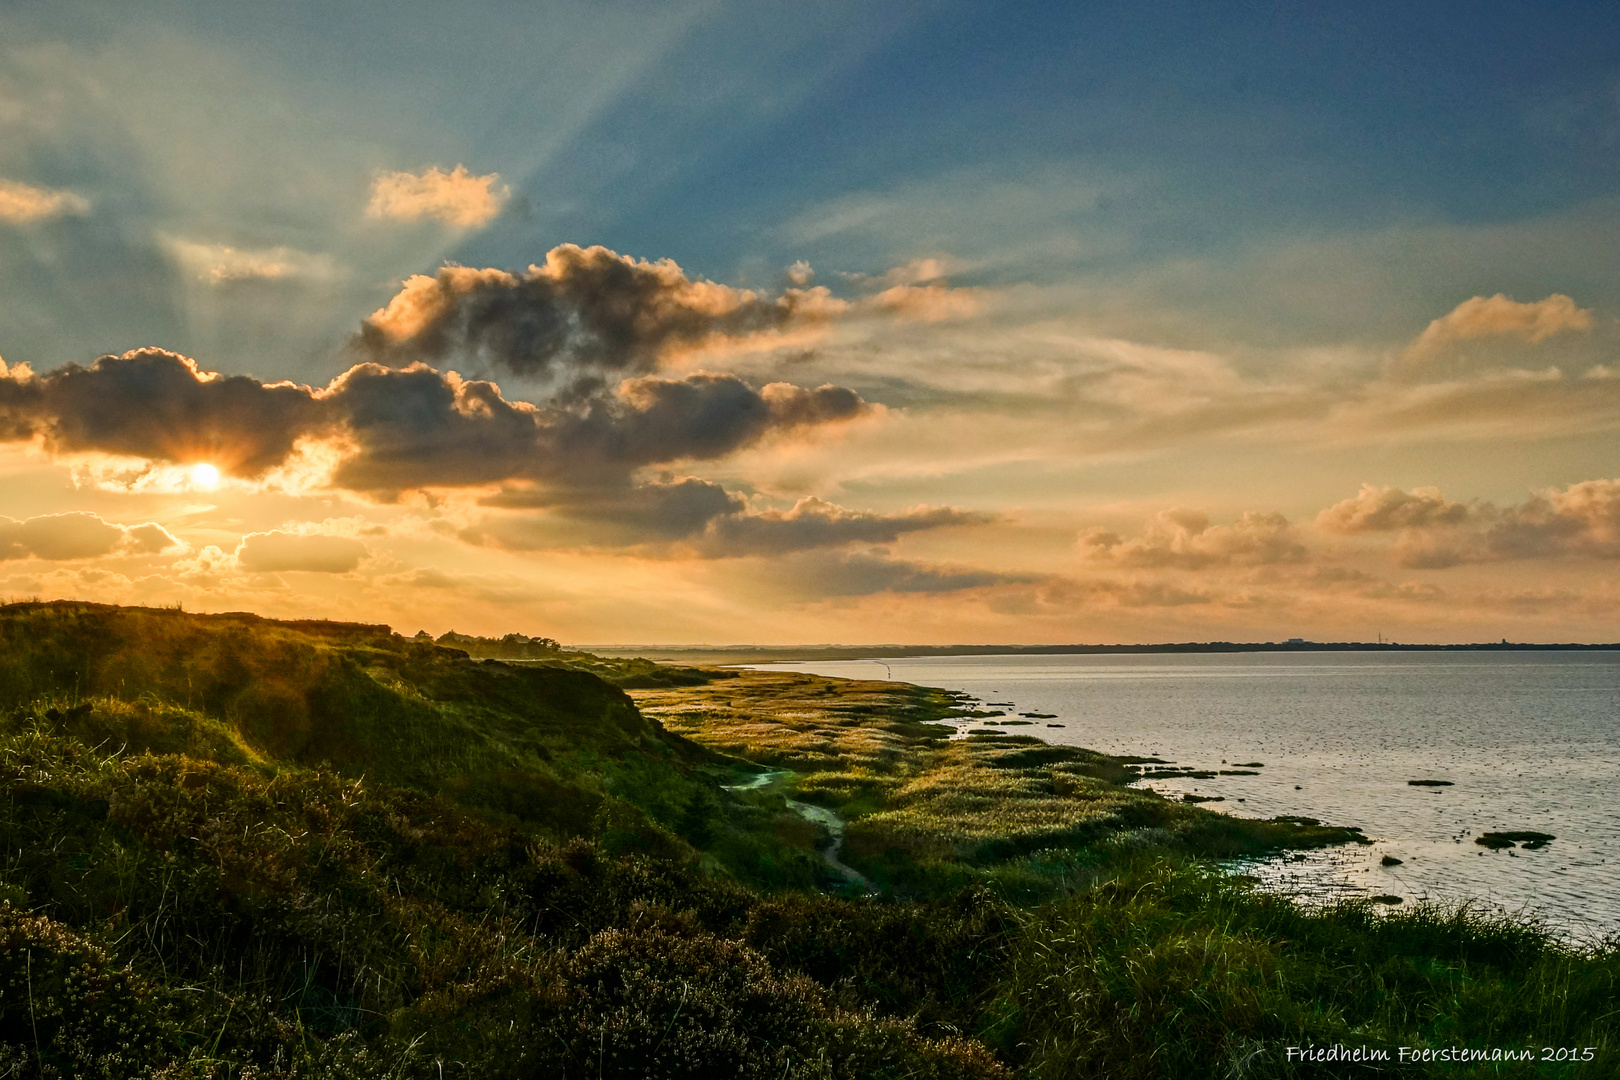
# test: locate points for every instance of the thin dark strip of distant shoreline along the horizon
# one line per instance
(785, 653)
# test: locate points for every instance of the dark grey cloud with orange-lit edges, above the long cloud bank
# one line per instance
(584, 312)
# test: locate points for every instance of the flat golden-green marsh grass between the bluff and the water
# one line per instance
(929, 814)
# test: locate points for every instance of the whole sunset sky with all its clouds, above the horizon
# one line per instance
(817, 323)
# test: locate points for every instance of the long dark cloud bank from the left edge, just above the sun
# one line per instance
(401, 428)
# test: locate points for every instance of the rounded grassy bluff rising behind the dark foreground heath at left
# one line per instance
(535, 744)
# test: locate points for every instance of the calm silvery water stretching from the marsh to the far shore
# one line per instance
(1530, 741)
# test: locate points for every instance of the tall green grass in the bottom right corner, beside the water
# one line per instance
(1175, 971)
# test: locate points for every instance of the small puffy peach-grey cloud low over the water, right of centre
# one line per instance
(1187, 540)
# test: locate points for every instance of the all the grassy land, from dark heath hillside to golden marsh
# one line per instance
(237, 848)
